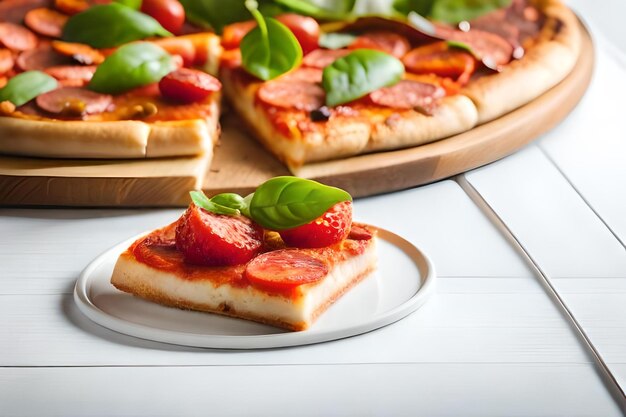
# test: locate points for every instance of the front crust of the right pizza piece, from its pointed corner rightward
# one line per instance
(349, 136)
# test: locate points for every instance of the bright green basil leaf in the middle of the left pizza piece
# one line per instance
(132, 65)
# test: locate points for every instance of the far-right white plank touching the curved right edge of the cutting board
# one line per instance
(589, 147)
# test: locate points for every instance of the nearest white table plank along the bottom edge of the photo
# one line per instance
(375, 390)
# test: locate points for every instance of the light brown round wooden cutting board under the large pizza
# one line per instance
(240, 164)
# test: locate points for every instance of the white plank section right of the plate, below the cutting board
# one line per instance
(442, 220)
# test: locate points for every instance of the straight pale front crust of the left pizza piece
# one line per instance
(124, 139)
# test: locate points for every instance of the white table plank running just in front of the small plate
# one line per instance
(48, 330)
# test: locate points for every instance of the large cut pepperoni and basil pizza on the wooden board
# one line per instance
(312, 80)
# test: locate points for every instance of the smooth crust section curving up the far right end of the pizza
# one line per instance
(546, 63)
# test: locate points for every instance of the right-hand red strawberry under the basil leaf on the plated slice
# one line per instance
(330, 228)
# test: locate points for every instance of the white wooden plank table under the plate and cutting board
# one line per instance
(529, 318)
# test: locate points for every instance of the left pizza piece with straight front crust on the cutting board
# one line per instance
(67, 93)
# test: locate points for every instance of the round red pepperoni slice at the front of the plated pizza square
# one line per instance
(285, 269)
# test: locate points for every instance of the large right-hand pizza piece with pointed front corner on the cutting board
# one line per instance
(454, 78)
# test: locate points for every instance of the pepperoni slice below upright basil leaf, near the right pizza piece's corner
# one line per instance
(299, 95)
